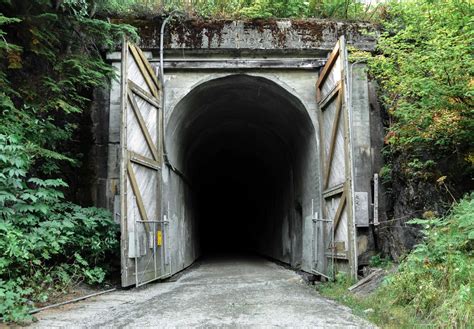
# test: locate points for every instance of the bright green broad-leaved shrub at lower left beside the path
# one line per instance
(46, 244)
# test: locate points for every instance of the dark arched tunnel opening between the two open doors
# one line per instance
(242, 144)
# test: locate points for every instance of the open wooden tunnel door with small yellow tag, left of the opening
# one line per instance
(143, 232)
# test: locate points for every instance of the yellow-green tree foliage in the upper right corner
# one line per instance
(425, 70)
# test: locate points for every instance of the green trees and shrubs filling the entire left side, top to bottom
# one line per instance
(51, 56)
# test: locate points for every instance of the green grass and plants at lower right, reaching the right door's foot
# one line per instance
(434, 284)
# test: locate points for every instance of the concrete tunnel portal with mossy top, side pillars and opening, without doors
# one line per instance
(242, 138)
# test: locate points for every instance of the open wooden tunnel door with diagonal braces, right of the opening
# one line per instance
(339, 236)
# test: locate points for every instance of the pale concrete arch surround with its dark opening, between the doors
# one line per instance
(248, 143)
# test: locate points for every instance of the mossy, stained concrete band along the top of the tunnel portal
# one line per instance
(302, 36)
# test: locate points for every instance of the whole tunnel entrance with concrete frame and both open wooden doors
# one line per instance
(234, 164)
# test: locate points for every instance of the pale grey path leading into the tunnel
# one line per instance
(243, 292)
